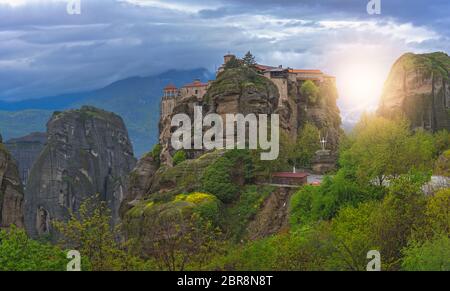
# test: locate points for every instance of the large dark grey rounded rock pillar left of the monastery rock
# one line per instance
(88, 152)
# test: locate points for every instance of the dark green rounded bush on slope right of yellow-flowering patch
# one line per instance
(224, 177)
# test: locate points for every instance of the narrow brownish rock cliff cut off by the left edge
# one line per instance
(11, 192)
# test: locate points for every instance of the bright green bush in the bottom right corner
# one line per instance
(432, 255)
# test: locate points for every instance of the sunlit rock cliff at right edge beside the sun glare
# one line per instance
(418, 86)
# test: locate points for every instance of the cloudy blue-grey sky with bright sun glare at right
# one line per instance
(46, 51)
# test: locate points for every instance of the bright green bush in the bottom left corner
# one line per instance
(20, 253)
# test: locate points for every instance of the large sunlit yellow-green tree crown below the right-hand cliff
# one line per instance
(382, 148)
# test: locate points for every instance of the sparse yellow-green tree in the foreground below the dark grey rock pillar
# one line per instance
(89, 231)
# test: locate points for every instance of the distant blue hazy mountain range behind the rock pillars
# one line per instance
(135, 99)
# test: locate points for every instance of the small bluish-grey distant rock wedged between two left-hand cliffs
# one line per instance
(25, 151)
